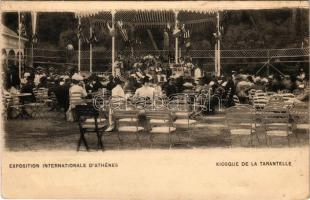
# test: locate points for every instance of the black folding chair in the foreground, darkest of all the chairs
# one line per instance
(89, 121)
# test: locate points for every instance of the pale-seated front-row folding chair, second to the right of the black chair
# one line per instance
(166, 127)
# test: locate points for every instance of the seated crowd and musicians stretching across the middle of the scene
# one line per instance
(148, 77)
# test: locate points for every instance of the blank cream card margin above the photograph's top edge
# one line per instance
(83, 8)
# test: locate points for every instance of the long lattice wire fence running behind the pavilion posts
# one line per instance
(100, 57)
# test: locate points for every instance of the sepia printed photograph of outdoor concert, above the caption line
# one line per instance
(155, 79)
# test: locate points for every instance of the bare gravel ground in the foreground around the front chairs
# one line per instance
(51, 132)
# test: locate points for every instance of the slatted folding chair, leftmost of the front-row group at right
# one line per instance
(240, 121)
